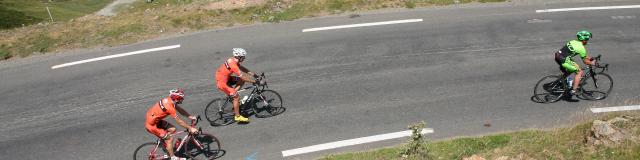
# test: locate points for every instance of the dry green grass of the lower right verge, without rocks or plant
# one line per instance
(563, 143)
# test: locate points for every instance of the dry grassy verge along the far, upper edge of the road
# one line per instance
(141, 21)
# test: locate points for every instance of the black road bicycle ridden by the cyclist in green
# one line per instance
(594, 85)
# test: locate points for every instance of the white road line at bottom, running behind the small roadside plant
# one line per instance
(351, 142)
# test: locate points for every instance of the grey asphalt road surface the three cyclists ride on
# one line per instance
(460, 68)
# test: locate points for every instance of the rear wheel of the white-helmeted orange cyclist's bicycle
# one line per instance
(219, 112)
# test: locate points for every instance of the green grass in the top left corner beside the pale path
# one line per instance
(14, 13)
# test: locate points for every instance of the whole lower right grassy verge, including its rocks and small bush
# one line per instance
(577, 142)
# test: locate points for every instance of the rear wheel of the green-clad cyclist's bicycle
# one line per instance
(553, 91)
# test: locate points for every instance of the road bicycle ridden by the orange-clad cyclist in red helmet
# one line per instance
(196, 146)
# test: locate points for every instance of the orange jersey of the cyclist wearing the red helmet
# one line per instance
(160, 110)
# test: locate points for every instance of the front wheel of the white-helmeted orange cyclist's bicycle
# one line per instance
(272, 107)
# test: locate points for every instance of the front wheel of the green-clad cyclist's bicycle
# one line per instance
(599, 89)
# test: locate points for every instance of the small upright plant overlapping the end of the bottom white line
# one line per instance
(416, 147)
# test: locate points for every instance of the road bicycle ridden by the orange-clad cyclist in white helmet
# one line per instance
(260, 102)
